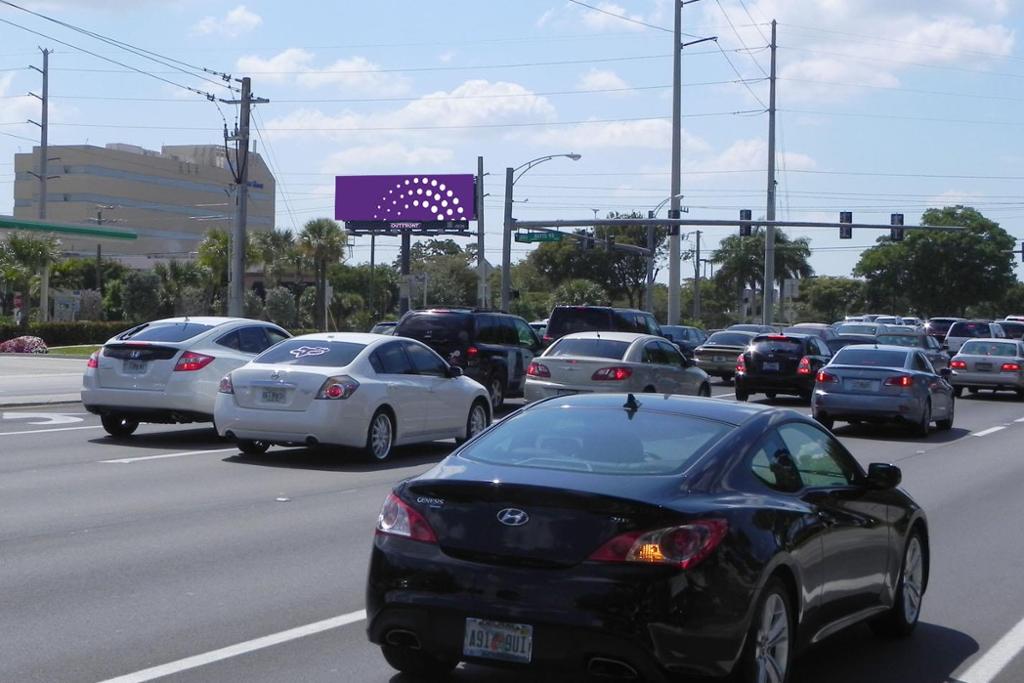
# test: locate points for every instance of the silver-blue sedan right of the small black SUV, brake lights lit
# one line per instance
(883, 385)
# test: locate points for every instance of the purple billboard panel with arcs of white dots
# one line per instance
(421, 198)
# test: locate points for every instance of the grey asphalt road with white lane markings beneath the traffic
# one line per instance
(121, 557)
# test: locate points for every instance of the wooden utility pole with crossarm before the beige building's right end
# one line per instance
(237, 271)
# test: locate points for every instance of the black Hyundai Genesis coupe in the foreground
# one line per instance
(643, 538)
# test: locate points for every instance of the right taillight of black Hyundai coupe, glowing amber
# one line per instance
(685, 546)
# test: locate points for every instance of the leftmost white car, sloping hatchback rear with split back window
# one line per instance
(168, 371)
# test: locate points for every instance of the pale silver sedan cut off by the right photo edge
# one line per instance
(990, 364)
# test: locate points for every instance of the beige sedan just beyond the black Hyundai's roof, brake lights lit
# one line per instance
(605, 362)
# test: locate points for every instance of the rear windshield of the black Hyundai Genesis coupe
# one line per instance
(598, 441)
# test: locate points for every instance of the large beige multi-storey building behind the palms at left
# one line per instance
(170, 198)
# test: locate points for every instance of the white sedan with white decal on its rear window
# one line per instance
(358, 391)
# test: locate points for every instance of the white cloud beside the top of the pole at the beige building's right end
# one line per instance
(297, 66)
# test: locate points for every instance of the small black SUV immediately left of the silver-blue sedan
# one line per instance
(777, 364)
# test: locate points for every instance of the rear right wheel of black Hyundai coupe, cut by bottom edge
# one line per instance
(772, 641)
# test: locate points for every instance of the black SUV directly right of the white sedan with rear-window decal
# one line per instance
(492, 348)
